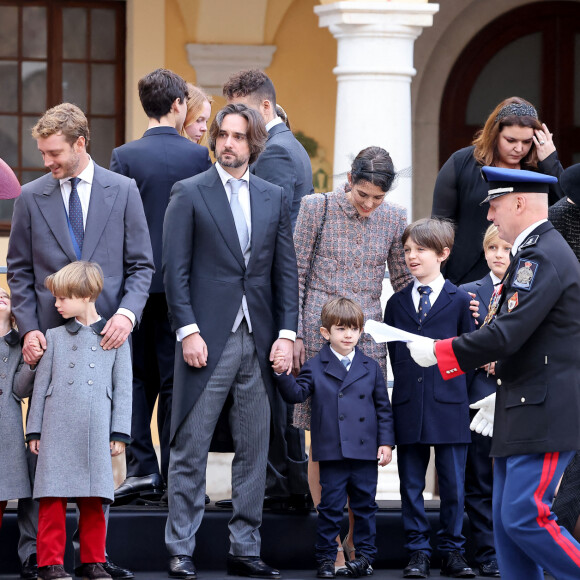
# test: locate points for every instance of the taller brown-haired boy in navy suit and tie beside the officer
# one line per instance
(427, 410)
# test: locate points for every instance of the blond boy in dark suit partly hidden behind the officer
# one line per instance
(480, 384)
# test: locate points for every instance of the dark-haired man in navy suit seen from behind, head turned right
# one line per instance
(156, 161)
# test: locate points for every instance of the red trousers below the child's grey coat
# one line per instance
(51, 539)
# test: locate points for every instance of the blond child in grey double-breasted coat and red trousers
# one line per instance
(80, 416)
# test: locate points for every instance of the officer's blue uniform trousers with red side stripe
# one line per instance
(528, 540)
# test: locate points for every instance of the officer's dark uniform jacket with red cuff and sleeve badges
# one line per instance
(535, 340)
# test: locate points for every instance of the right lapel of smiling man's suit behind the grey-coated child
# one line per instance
(103, 196)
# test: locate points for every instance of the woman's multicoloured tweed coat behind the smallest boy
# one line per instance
(350, 262)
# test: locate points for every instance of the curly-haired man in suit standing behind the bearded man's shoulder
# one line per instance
(284, 162)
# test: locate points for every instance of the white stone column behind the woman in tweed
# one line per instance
(374, 72)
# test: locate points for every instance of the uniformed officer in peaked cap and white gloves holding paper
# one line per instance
(535, 340)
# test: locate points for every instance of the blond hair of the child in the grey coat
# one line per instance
(77, 280)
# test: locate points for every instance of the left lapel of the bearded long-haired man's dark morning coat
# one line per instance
(216, 200)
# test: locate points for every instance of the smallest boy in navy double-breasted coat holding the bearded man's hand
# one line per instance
(351, 428)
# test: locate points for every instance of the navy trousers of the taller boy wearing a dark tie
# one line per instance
(412, 461)
